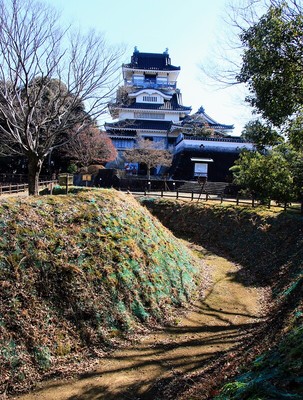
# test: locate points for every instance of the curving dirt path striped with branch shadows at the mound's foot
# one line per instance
(215, 324)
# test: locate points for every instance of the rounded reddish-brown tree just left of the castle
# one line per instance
(90, 146)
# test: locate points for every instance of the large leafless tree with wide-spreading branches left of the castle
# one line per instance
(51, 81)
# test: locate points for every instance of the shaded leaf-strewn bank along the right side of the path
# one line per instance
(269, 247)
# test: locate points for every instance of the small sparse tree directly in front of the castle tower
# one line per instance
(149, 153)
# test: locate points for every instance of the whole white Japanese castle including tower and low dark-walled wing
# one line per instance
(149, 105)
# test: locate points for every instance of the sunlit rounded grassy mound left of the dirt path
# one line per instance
(77, 274)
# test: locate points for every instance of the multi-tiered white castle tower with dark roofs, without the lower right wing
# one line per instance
(148, 103)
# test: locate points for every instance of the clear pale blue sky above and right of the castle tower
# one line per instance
(192, 30)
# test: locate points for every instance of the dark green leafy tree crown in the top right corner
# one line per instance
(272, 62)
